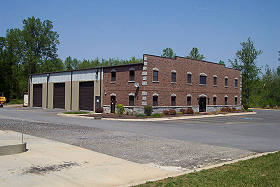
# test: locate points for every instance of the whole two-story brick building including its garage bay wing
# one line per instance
(159, 82)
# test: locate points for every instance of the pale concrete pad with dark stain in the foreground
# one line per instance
(50, 163)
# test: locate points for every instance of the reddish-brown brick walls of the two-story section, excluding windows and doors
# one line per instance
(164, 88)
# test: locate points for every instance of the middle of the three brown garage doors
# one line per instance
(59, 95)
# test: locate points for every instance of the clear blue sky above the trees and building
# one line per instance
(126, 28)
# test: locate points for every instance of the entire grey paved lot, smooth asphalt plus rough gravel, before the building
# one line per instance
(181, 143)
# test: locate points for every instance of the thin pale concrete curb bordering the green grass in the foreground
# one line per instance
(205, 168)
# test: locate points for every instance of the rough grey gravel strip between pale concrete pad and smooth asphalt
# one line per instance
(130, 146)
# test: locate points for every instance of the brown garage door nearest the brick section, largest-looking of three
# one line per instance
(86, 95)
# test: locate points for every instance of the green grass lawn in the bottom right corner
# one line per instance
(261, 171)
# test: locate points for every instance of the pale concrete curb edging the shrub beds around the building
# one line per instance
(160, 119)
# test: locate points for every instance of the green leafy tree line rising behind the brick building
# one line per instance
(33, 49)
